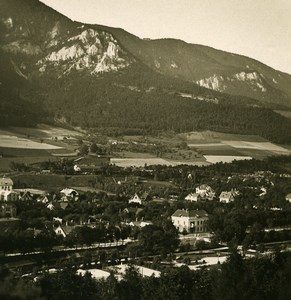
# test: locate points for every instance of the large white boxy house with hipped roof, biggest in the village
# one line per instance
(191, 221)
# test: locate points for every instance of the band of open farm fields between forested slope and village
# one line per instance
(35, 145)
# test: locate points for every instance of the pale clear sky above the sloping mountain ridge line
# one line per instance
(260, 29)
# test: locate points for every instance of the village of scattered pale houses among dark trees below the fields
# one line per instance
(145, 216)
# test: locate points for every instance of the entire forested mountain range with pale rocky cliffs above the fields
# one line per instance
(57, 70)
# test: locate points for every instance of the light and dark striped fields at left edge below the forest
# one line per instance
(33, 145)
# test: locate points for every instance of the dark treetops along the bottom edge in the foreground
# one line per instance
(266, 278)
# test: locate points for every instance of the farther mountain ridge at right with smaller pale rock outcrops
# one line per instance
(210, 68)
